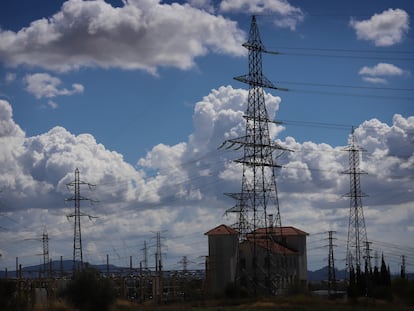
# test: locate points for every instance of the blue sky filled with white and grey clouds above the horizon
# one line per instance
(140, 94)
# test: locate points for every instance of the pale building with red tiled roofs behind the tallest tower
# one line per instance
(276, 252)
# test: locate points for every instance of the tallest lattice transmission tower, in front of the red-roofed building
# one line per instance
(257, 205)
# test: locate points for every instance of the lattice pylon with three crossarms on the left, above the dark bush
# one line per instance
(77, 236)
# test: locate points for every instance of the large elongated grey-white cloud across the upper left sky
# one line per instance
(140, 35)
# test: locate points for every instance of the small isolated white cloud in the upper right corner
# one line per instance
(384, 29)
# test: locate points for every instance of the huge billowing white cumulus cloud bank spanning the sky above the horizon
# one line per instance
(180, 188)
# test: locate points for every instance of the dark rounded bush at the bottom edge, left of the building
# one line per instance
(89, 292)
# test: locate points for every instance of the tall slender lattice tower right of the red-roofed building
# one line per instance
(357, 243)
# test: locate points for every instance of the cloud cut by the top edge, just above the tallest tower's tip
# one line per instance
(288, 15)
